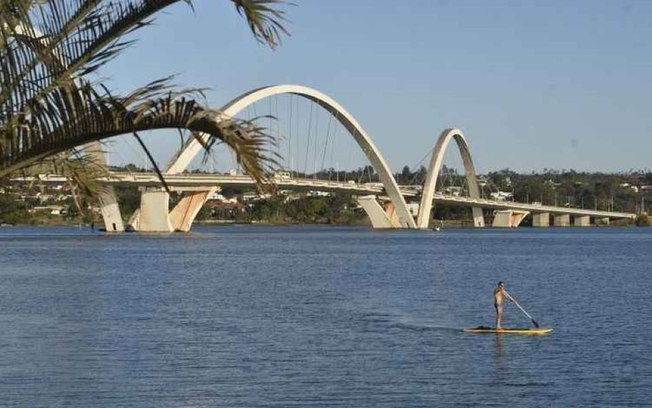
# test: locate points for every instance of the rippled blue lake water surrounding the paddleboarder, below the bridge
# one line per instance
(316, 316)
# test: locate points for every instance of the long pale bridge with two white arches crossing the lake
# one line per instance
(384, 203)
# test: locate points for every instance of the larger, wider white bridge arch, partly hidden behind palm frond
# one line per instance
(193, 147)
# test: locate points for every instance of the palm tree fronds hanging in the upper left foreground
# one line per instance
(49, 107)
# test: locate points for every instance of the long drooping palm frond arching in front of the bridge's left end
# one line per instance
(70, 117)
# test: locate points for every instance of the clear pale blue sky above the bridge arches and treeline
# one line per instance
(533, 84)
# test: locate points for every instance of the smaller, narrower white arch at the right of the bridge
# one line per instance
(433, 173)
